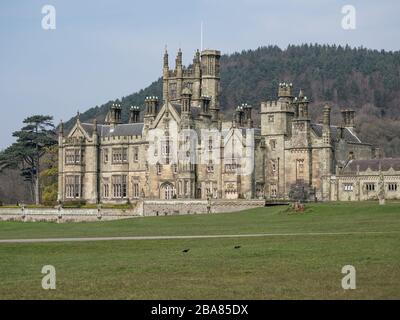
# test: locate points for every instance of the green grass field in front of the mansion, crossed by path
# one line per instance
(300, 265)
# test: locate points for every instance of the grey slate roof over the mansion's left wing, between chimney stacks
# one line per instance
(125, 129)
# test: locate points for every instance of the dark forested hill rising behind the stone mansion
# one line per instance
(344, 77)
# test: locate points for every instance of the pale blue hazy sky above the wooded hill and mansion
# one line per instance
(102, 50)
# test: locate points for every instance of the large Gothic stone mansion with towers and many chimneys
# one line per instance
(178, 147)
